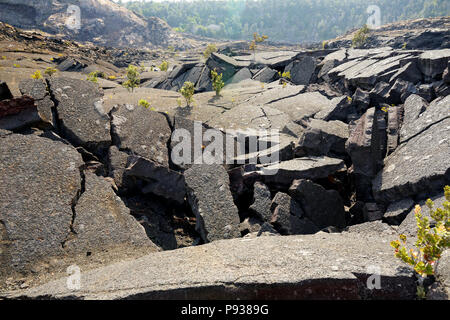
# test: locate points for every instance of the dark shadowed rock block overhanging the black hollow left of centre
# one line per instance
(159, 180)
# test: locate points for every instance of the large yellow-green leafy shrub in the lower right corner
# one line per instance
(431, 241)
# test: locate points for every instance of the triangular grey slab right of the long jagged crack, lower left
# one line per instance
(102, 221)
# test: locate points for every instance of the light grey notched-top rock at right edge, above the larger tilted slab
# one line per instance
(419, 115)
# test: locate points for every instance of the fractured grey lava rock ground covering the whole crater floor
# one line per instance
(87, 176)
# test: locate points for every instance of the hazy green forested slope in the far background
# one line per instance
(292, 21)
